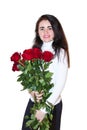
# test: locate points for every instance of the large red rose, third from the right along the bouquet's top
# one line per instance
(27, 54)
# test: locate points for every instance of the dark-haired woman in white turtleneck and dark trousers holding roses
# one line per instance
(50, 36)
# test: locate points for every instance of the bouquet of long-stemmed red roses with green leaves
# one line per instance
(35, 76)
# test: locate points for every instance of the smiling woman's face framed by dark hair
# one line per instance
(45, 31)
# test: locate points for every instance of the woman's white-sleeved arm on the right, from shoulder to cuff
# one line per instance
(60, 68)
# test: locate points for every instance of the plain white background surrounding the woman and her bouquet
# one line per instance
(17, 24)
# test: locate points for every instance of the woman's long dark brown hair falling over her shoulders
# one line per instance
(59, 36)
